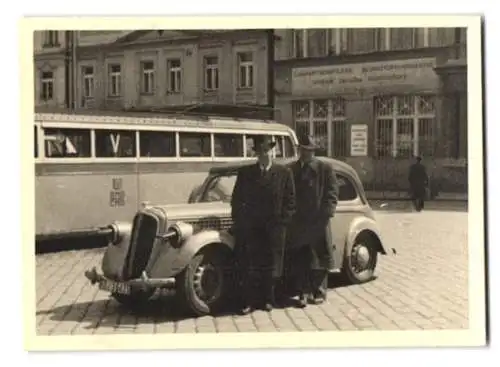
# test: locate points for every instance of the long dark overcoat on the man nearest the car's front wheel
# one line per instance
(249, 211)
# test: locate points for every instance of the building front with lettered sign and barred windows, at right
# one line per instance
(341, 92)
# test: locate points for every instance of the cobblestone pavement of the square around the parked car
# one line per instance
(423, 287)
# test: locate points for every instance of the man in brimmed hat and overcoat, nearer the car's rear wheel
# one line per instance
(310, 243)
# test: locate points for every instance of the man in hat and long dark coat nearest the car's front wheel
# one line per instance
(263, 203)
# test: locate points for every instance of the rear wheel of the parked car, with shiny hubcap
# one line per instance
(356, 255)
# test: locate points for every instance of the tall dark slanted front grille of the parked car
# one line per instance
(144, 232)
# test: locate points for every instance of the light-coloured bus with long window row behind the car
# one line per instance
(95, 167)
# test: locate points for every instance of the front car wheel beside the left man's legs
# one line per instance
(212, 263)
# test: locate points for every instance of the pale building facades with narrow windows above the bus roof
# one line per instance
(118, 69)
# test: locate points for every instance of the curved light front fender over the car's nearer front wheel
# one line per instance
(171, 261)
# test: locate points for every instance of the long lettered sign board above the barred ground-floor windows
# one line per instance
(338, 78)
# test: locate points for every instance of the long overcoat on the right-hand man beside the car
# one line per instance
(316, 196)
